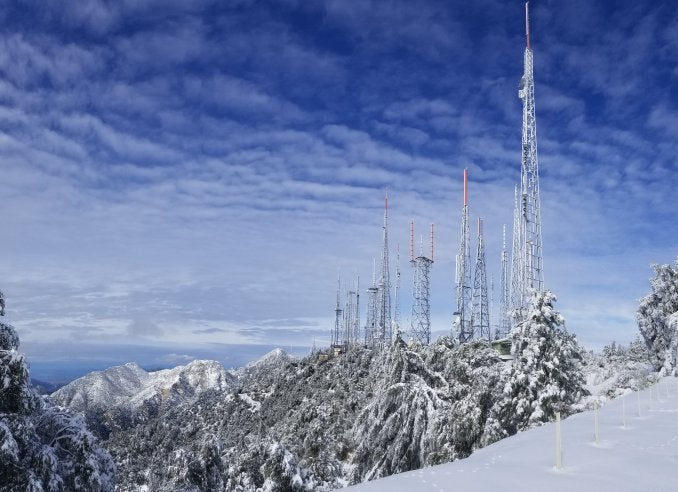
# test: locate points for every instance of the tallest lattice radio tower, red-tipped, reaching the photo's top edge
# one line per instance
(527, 263)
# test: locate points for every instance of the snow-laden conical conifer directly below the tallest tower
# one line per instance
(546, 375)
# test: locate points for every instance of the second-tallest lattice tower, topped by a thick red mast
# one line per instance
(463, 328)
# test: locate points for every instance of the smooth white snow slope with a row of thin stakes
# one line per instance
(641, 455)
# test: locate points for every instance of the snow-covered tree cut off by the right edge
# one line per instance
(653, 315)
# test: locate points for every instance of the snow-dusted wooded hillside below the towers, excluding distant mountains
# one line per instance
(323, 422)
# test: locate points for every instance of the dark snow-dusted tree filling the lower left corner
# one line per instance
(42, 447)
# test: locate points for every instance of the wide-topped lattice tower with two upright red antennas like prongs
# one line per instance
(420, 328)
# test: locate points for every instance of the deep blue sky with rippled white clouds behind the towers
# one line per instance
(188, 179)
